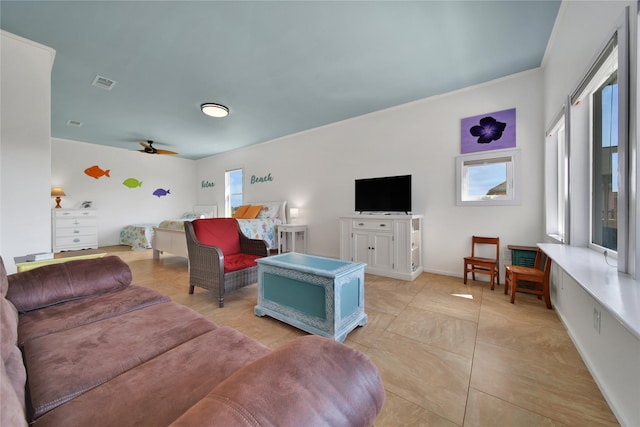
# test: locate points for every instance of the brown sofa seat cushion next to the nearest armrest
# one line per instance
(160, 390)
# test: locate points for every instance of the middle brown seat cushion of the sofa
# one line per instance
(65, 364)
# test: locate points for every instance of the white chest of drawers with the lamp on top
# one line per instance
(74, 229)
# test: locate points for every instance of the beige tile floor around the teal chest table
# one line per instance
(449, 354)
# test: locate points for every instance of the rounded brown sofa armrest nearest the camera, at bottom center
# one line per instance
(311, 381)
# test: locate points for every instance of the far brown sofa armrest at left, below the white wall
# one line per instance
(57, 283)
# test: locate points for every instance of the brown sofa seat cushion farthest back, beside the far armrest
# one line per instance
(72, 314)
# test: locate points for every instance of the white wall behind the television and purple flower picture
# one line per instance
(315, 170)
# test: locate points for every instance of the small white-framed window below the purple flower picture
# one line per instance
(489, 178)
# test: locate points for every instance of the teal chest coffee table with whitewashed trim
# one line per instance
(322, 296)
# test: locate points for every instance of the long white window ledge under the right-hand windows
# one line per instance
(619, 293)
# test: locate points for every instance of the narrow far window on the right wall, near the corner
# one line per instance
(556, 181)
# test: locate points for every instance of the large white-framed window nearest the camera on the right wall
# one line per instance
(600, 134)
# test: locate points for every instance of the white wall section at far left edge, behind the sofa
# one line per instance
(25, 148)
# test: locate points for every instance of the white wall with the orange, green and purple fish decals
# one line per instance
(117, 204)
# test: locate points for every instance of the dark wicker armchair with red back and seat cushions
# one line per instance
(221, 258)
